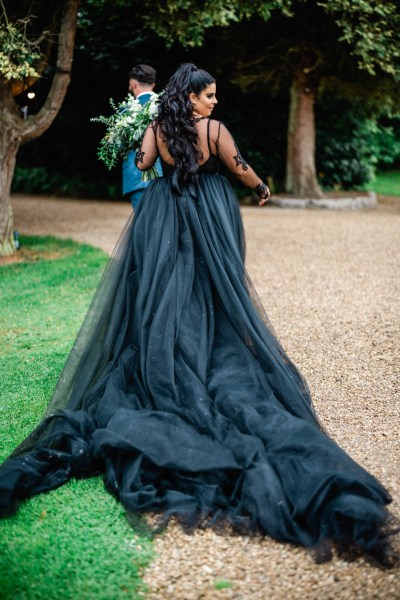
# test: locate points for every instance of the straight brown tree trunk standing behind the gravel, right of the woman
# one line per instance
(301, 178)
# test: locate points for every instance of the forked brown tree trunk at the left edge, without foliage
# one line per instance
(16, 131)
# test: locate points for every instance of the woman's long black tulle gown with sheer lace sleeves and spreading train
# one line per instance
(178, 390)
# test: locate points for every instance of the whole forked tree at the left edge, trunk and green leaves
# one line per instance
(33, 36)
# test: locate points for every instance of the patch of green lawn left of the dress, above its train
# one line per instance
(43, 303)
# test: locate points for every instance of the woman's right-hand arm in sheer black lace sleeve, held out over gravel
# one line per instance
(231, 157)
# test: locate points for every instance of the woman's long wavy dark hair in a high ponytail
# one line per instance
(176, 119)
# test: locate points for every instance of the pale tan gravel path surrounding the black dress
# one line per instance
(330, 284)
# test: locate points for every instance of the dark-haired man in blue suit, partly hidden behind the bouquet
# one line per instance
(142, 80)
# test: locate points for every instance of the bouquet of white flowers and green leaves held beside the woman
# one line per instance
(125, 130)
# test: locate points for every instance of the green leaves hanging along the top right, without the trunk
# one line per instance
(369, 28)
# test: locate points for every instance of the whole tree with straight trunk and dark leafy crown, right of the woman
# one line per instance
(302, 46)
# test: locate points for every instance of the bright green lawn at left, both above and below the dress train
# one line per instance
(73, 542)
